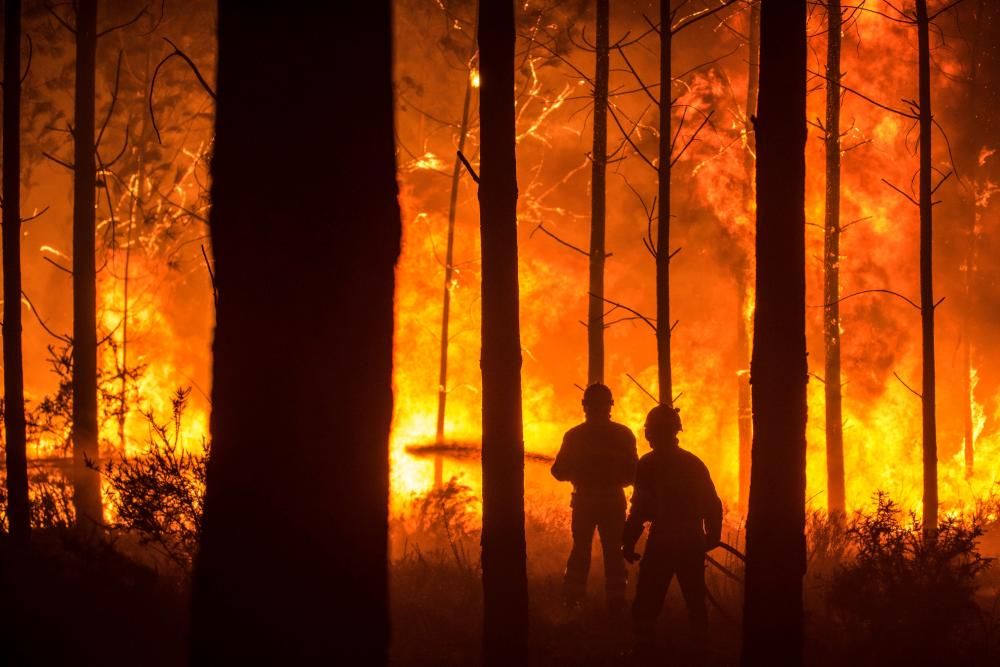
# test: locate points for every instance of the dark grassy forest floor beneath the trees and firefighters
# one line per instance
(912, 604)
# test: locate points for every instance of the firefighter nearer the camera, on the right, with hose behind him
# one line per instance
(673, 491)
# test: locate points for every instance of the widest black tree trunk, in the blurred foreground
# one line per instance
(305, 230)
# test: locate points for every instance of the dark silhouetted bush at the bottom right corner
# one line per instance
(906, 597)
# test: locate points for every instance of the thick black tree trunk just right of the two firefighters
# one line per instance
(772, 616)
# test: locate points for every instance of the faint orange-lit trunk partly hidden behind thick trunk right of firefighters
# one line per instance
(745, 412)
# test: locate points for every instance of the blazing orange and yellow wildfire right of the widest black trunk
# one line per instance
(714, 224)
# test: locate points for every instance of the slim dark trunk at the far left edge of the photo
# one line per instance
(18, 507)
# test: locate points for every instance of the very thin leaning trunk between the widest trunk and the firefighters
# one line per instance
(449, 273)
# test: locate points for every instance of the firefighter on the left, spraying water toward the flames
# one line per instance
(599, 458)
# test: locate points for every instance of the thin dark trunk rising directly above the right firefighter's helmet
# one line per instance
(663, 322)
